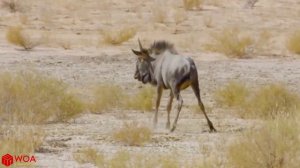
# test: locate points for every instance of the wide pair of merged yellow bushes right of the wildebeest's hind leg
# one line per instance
(268, 102)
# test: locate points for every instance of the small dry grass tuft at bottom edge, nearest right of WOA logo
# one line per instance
(89, 155)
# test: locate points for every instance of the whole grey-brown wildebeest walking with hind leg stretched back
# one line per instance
(162, 66)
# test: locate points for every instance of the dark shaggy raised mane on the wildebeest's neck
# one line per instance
(162, 46)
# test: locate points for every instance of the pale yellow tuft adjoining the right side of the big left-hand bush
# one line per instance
(107, 96)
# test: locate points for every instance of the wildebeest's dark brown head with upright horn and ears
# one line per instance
(143, 65)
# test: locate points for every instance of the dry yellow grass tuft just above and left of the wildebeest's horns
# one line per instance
(119, 36)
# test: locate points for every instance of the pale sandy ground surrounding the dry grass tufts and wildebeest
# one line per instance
(88, 63)
